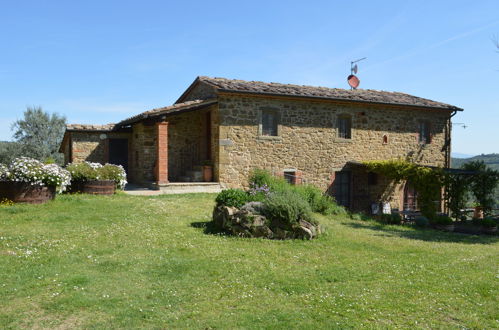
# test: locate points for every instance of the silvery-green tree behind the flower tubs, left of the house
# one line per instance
(39, 134)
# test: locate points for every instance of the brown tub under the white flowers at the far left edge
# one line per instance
(22, 192)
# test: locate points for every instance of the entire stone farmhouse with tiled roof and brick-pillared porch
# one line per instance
(316, 135)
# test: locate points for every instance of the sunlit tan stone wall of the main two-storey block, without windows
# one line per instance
(308, 138)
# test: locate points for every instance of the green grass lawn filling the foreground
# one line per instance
(134, 262)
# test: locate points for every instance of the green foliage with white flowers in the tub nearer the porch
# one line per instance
(87, 171)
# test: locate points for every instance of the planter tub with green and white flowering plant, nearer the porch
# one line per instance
(95, 178)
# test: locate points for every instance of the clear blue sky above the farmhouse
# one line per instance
(101, 61)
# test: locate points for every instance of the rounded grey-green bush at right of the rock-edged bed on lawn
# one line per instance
(288, 207)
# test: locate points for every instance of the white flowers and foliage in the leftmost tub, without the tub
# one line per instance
(34, 172)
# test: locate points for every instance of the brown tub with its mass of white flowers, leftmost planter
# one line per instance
(27, 180)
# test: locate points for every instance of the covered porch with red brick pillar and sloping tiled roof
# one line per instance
(173, 148)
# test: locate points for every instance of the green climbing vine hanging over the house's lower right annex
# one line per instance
(428, 182)
